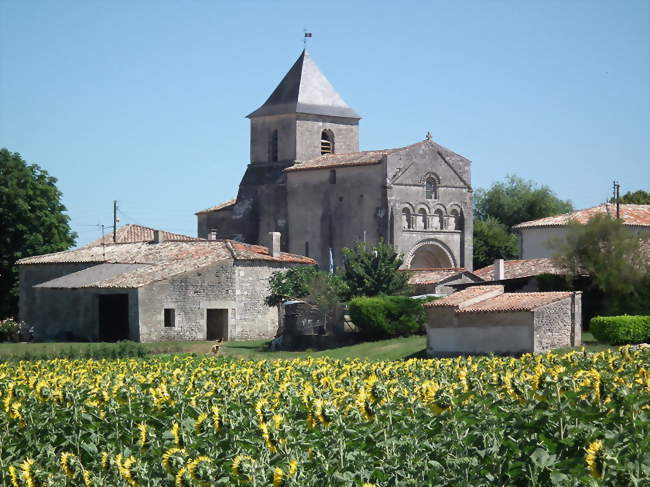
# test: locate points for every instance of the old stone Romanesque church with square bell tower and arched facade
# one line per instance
(308, 181)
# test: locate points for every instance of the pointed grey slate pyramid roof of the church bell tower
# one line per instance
(304, 89)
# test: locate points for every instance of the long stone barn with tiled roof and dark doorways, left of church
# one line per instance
(155, 290)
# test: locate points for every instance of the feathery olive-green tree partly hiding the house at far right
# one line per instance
(612, 257)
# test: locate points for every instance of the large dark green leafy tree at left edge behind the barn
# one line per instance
(33, 221)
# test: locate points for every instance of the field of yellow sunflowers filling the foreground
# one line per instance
(572, 419)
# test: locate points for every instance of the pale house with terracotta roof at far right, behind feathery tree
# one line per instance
(536, 234)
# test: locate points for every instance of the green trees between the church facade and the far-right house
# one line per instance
(503, 205)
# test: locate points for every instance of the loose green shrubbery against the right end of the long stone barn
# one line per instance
(305, 282)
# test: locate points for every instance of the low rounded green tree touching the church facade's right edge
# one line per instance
(493, 240)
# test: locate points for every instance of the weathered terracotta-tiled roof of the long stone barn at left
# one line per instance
(155, 262)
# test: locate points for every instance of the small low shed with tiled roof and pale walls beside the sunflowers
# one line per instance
(485, 319)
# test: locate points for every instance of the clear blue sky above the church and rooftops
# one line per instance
(144, 101)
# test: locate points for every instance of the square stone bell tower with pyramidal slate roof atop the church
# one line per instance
(303, 118)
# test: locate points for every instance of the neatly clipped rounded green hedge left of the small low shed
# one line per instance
(387, 316)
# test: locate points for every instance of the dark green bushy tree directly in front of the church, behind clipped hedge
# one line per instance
(372, 270)
